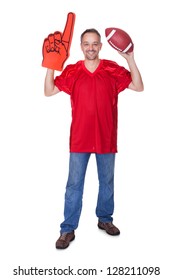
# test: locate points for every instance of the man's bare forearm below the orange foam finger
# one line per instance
(49, 87)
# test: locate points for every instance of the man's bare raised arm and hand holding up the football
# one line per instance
(137, 83)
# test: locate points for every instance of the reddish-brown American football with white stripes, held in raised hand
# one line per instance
(119, 39)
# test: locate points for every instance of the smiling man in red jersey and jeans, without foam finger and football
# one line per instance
(93, 85)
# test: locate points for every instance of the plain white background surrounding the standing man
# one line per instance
(34, 142)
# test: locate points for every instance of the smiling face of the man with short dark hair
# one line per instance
(91, 46)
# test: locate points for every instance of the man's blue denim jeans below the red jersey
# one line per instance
(75, 185)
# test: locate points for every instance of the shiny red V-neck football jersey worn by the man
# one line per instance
(94, 99)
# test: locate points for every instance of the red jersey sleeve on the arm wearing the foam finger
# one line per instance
(65, 81)
